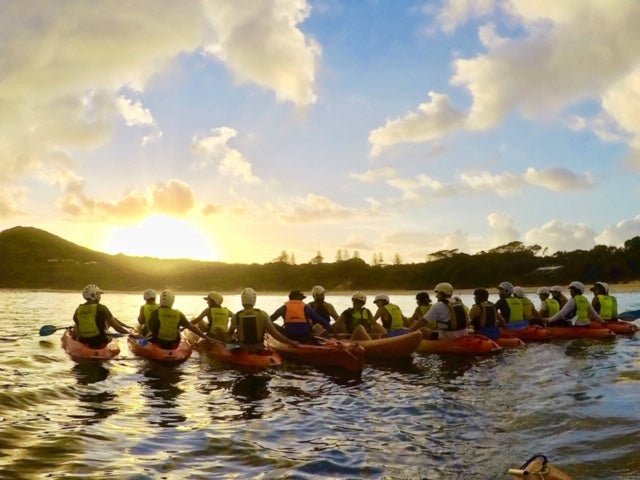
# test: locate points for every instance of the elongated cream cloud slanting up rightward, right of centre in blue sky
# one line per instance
(431, 121)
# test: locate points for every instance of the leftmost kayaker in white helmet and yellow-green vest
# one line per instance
(92, 319)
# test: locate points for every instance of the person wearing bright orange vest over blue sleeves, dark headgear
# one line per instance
(299, 318)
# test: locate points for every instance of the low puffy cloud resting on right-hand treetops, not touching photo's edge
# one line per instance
(559, 236)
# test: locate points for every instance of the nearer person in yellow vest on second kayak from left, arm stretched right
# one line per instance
(165, 323)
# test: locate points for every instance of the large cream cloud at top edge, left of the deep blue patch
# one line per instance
(261, 42)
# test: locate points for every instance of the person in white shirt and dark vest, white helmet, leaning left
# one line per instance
(445, 319)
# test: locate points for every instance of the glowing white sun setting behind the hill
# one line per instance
(161, 236)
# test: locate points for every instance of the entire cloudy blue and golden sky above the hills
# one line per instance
(235, 130)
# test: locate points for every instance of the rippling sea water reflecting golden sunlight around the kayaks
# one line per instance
(430, 417)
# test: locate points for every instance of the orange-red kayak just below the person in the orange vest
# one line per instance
(331, 353)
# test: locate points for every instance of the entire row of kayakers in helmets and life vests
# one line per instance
(447, 318)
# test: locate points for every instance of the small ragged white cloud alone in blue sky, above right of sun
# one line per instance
(213, 149)
